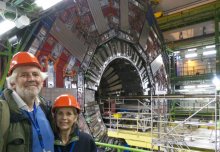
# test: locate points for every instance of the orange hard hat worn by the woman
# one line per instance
(65, 100)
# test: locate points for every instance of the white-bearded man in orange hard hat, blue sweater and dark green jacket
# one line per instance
(29, 130)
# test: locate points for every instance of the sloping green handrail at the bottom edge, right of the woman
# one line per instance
(119, 148)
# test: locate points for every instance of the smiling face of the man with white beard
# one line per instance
(28, 81)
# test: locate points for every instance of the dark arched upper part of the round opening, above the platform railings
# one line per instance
(120, 78)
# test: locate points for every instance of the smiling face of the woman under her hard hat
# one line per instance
(65, 118)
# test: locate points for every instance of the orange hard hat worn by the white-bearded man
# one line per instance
(23, 58)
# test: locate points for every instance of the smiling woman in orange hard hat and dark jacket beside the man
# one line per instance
(68, 138)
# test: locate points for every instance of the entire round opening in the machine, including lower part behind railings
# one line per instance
(120, 78)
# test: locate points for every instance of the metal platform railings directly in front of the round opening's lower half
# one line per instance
(136, 118)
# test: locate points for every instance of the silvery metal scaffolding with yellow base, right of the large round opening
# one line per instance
(188, 131)
